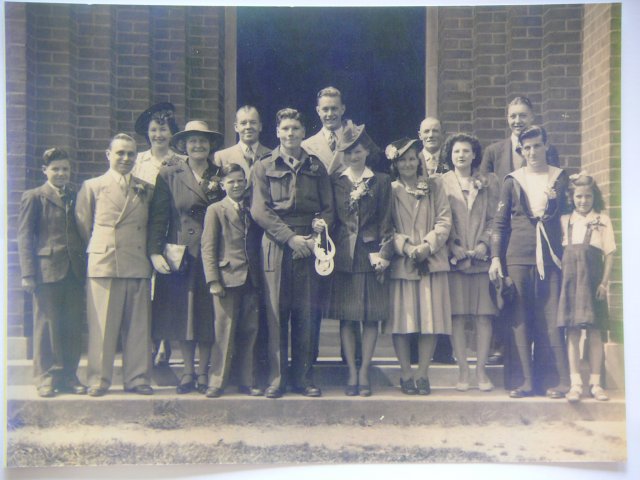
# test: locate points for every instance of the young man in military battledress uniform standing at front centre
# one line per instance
(292, 198)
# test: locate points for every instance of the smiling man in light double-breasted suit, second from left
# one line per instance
(112, 213)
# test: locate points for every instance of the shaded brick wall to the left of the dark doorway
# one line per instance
(77, 74)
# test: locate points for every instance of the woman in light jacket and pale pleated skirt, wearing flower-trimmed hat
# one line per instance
(419, 290)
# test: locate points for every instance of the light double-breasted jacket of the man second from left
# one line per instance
(113, 223)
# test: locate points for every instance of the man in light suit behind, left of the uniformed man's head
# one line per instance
(248, 149)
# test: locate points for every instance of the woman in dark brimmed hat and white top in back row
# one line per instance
(157, 125)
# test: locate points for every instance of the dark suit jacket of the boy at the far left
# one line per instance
(49, 243)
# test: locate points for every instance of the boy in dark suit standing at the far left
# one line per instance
(53, 267)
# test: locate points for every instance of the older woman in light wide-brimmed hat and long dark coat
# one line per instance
(183, 309)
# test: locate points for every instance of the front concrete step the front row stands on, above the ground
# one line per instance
(387, 406)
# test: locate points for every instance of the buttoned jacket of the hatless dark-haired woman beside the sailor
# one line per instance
(472, 225)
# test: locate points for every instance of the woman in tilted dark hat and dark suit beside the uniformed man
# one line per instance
(363, 243)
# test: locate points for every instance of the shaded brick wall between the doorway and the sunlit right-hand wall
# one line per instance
(489, 54)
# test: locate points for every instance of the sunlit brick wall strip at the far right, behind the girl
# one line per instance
(601, 125)
